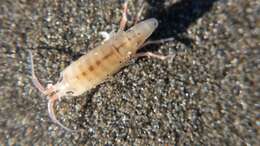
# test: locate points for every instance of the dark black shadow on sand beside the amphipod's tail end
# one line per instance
(174, 20)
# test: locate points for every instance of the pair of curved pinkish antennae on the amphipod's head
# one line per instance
(52, 98)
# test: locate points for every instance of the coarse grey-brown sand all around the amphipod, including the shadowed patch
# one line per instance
(208, 94)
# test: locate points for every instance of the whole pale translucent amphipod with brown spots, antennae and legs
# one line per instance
(98, 64)
